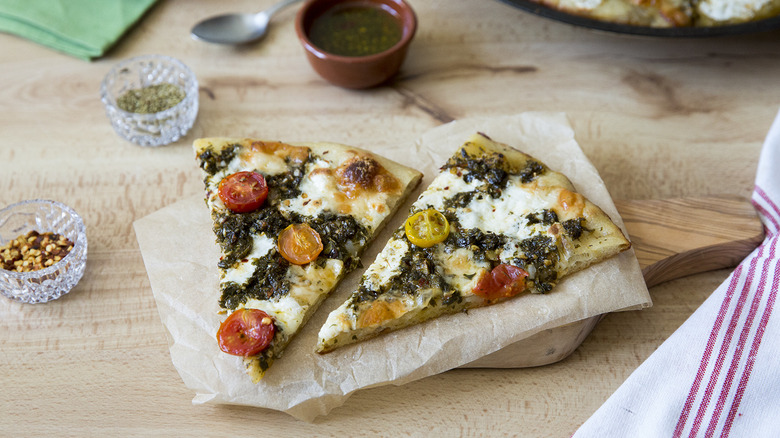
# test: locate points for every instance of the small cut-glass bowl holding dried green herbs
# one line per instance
(158, 128)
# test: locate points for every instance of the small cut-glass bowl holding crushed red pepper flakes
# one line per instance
(58, 279)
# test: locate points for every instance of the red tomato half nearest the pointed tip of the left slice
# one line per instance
(246, 332)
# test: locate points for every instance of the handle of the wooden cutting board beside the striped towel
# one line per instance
(674, 238)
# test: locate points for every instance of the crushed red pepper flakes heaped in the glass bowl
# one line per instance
(34, 251)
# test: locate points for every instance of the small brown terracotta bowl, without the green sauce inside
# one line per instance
(356, 71)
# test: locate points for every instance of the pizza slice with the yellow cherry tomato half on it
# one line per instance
(493, 224)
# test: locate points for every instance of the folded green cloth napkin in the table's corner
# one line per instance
(82, 28)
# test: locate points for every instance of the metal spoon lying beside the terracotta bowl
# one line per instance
(237, 28)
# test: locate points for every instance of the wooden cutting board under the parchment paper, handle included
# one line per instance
(672, 238)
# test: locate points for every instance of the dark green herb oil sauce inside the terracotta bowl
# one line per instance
(355, 31)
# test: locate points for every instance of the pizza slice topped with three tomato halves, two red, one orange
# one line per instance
(290, 220)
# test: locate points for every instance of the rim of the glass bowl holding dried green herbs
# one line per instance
(189, 97)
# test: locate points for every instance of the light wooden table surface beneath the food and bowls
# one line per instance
(658, 117)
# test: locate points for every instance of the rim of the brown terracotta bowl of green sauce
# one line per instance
(406, 37)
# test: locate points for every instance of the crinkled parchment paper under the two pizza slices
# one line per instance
(180, 254)
